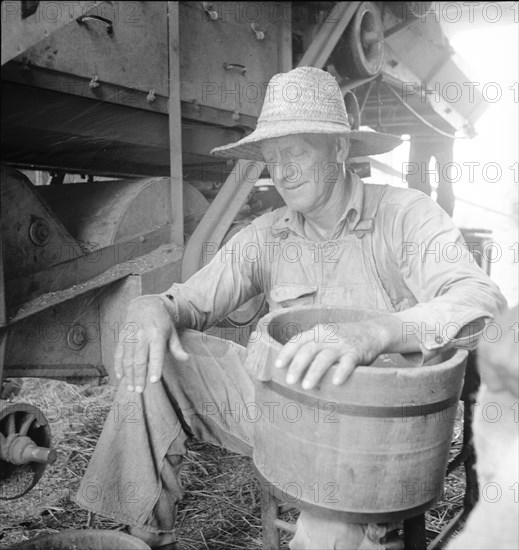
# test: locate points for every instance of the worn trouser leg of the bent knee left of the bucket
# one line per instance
(133, 474)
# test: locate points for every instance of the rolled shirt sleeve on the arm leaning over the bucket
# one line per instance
(456, 297)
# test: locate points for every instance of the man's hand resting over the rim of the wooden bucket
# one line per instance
(309, 355)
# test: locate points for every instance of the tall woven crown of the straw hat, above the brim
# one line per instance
(304, 94)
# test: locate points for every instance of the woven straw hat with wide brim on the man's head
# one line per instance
(305, 100)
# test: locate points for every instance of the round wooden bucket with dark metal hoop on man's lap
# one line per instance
(372, 450)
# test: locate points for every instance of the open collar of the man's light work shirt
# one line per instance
(289, 220)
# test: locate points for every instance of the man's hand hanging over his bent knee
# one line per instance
(141, 355)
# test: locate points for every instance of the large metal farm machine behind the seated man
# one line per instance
(108, 191)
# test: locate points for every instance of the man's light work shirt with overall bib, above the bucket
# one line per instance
(393, 249)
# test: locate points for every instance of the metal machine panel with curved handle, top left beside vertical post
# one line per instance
(133, 54)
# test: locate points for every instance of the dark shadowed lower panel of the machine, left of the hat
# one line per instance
(55, 130)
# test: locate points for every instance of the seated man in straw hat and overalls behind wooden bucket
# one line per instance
(356, 245)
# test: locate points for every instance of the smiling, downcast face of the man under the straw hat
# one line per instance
(304, 168)
